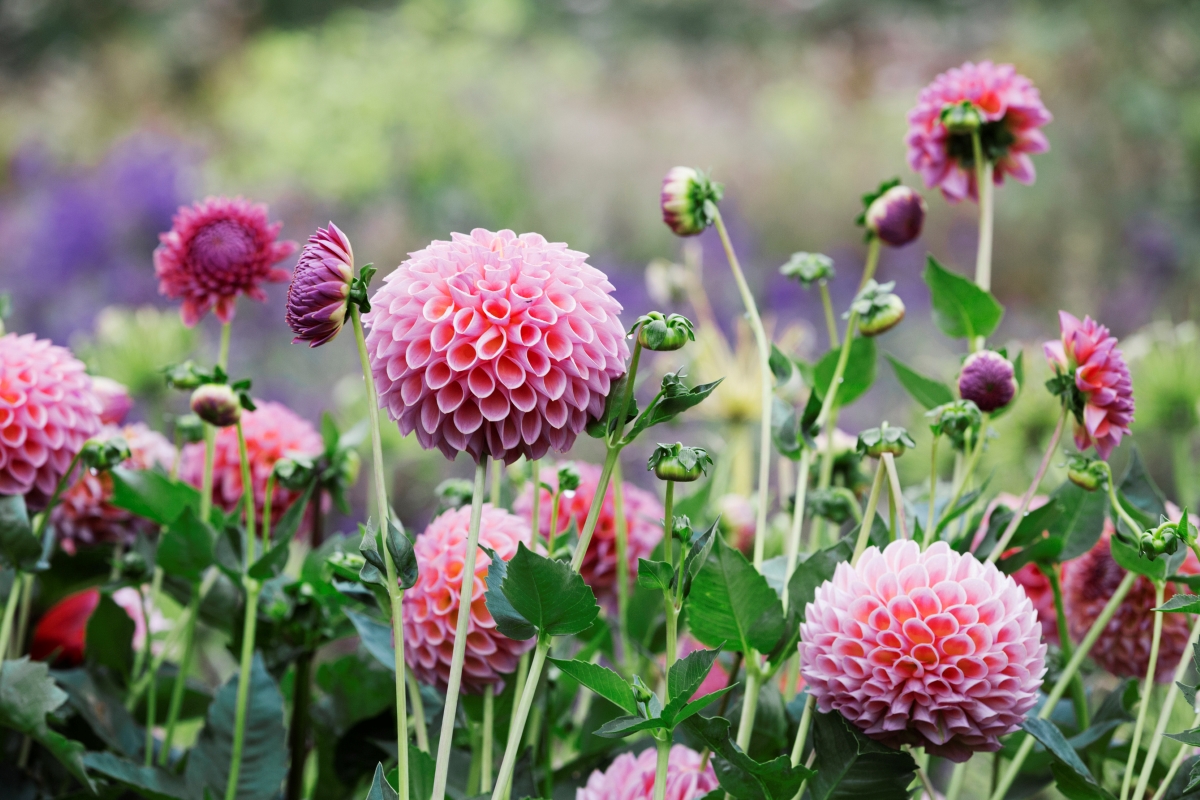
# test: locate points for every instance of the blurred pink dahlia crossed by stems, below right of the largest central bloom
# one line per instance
(644, 521)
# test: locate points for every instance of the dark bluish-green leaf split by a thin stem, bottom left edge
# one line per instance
(265, 756)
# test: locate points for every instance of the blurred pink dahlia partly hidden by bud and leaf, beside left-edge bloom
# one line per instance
(86, 514)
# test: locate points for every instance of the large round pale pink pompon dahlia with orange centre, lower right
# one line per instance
(934, 649)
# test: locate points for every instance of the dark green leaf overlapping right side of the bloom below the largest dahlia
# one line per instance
(550, 594)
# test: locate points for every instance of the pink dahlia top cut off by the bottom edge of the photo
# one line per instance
(632, 778)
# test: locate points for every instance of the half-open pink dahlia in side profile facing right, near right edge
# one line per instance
(1102, 378)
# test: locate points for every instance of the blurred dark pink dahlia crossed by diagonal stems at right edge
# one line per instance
(1124, 648)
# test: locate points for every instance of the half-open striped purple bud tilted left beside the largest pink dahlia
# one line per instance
(319, 298)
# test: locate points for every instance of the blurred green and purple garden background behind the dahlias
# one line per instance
(405, 122)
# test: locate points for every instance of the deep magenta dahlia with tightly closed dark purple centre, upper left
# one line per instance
(217, 250)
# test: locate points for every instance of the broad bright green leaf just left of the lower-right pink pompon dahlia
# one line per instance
(733, 605)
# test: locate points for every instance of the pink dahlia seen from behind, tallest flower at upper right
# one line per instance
(1011, 113)
